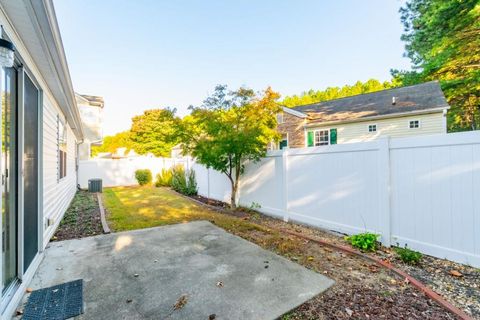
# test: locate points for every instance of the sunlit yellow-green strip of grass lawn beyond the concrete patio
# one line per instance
(130, 208)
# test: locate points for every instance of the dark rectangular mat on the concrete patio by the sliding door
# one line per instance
(59, 302)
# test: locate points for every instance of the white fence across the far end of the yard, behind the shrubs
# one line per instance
(121, 172)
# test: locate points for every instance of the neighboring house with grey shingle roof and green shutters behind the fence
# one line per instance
(399, 112)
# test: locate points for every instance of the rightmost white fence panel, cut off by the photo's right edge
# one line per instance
(435, 195)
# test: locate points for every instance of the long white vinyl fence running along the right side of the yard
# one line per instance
(423, 192)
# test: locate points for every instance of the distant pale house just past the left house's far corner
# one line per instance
(91, 112)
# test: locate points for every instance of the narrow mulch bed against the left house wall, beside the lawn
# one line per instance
(82, 218)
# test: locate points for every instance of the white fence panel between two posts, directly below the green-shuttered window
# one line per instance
(336, 187)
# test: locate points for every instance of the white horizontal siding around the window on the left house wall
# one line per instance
(57, 194)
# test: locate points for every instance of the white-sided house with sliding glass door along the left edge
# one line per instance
(41, 128)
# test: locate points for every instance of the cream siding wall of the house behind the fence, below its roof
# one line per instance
(433, 123)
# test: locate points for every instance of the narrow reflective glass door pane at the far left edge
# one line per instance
(9, 176)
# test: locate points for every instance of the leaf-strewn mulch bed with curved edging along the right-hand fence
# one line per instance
(362, 289)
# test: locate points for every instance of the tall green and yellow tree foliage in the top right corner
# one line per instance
(443, 43)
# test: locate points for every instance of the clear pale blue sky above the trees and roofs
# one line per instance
(148, 54)
